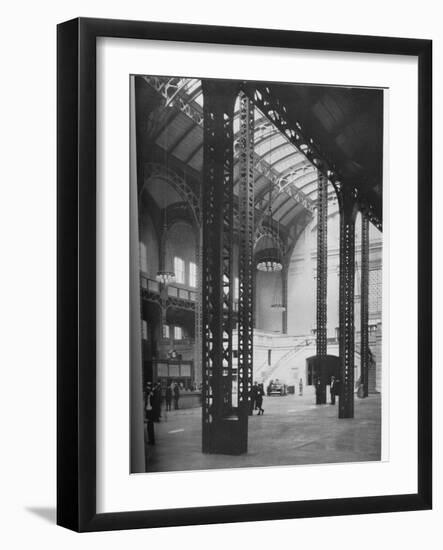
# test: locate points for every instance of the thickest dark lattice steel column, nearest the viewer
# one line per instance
(217, 287)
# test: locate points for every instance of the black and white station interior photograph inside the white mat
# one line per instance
(256, 272)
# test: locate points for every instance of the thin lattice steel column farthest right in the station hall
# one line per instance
(364, 304)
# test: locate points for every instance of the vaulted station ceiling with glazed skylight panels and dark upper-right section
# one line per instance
(346, 124)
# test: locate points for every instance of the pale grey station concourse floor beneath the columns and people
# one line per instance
(293, 430)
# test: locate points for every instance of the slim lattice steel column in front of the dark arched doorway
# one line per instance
(322, 282)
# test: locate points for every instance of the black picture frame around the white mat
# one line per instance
(76, 265)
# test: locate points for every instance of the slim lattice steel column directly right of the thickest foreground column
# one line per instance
(246, 245)
